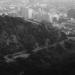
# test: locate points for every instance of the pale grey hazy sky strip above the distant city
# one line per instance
(49, 1)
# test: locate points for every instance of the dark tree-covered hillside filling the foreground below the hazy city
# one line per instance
(43, 44)
